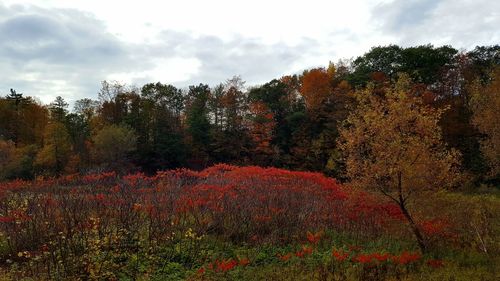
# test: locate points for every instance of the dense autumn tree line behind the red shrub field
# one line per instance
(293, 122)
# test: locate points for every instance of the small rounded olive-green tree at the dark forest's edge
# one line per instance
(112, 144)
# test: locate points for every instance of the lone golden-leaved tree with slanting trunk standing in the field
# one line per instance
(392, 144)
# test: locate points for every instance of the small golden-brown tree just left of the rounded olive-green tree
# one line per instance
(56, 150)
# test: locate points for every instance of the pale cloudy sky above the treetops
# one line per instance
(65, 48)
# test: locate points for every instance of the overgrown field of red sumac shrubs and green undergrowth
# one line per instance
(238, 223)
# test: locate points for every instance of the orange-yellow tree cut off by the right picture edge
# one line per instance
(485, 105)
